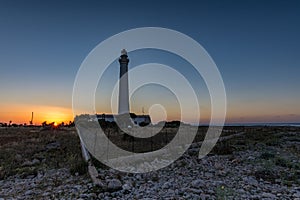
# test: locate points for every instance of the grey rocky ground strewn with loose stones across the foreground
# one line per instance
(263, 163)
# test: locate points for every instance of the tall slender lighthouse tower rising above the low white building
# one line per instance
(123, 84)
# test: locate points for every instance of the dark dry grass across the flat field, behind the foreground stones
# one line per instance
(22, 144)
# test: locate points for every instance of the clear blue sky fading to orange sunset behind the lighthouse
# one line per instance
(255, 45)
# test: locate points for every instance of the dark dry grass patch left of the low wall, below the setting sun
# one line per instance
(47, 149)
